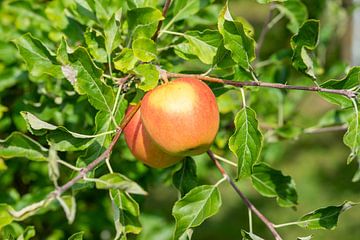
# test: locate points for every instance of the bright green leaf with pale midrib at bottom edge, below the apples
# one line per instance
(195, 207)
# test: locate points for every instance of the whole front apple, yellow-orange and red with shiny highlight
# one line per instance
(181, 116)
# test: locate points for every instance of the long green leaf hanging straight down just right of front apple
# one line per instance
(246, 142)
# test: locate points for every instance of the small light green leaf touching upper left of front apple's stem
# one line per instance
(149, 76)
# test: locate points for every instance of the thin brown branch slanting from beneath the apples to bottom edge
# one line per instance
(247, 202)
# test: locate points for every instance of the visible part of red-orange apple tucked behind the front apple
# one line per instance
(143, 147)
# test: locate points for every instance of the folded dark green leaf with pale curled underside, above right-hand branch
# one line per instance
(304, 41)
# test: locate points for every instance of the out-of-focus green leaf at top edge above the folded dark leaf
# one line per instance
(295, 11)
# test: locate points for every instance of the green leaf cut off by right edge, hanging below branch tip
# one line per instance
(352, 138)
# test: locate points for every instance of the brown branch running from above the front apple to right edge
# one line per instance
(343, 92)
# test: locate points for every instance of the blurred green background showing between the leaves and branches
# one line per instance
(317, 162)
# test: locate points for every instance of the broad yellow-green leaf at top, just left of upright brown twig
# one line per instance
(143, 21)
